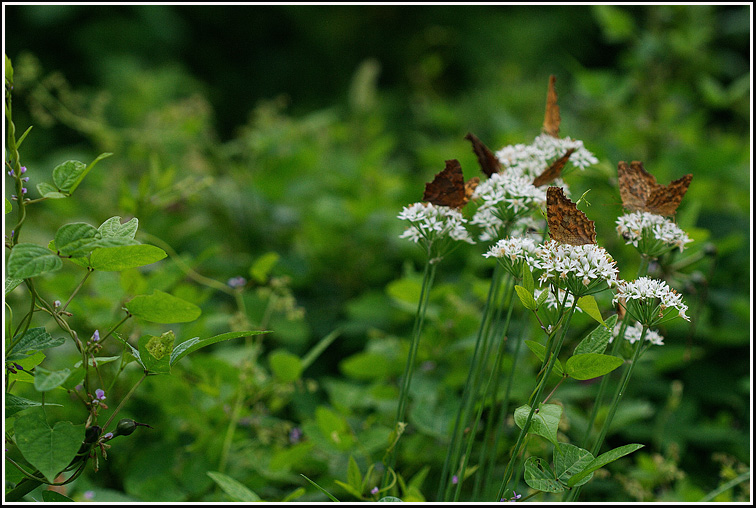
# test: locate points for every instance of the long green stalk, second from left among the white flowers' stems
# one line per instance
(453, 450)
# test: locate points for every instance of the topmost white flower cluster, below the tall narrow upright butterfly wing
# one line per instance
(531, 160)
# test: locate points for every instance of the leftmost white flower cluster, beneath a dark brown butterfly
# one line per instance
(430, 222)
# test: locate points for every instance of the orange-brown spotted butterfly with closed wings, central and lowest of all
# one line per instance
(567, 224)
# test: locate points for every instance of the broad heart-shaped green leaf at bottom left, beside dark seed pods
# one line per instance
(49, 449)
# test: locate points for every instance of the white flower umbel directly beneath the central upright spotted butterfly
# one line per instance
(580, 269)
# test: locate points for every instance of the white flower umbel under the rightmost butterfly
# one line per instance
(653, 235)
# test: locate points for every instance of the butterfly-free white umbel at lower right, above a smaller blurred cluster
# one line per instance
(650, 301)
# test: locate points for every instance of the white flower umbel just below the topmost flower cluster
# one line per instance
(506, 198)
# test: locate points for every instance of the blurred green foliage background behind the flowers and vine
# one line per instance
(241, 131)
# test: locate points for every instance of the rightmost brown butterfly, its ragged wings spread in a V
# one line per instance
(640, 192)
